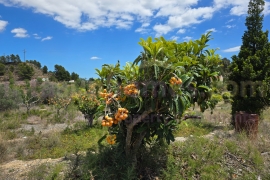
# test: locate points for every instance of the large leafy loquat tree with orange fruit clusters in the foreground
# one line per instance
(143, 101)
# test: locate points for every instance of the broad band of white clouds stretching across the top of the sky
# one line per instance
(85, 15)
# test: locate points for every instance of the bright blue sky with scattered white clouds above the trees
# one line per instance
(82, 35)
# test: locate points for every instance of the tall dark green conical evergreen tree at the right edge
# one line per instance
(250, 70)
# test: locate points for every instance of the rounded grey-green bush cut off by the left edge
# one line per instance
(9, 98)
